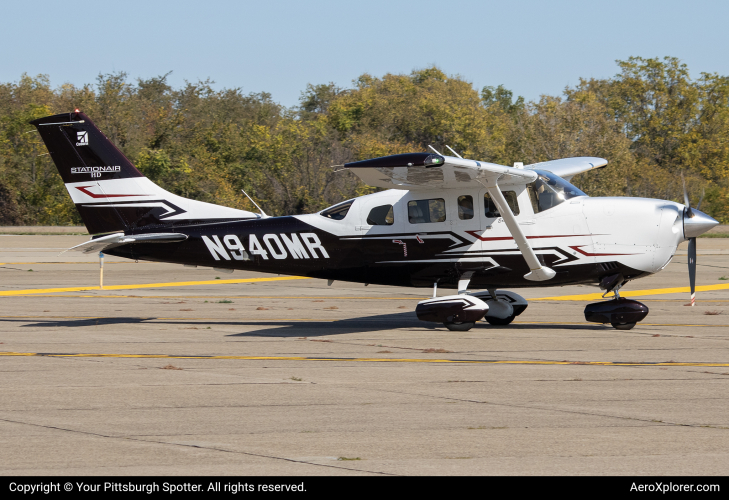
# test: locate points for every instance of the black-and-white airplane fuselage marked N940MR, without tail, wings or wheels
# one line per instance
(582, 239)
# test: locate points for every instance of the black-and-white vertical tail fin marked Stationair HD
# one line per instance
(109, 192)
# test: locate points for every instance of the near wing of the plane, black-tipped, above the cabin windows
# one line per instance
(432, 171)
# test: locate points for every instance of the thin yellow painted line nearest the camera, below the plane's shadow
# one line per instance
(369, 360)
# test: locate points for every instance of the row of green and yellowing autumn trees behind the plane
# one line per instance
(652, 121)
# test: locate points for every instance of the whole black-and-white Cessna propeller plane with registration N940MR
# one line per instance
(444, 221)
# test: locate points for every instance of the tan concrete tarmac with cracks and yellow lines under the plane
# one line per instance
(293, 377)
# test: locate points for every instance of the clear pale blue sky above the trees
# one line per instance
(531, 47)
